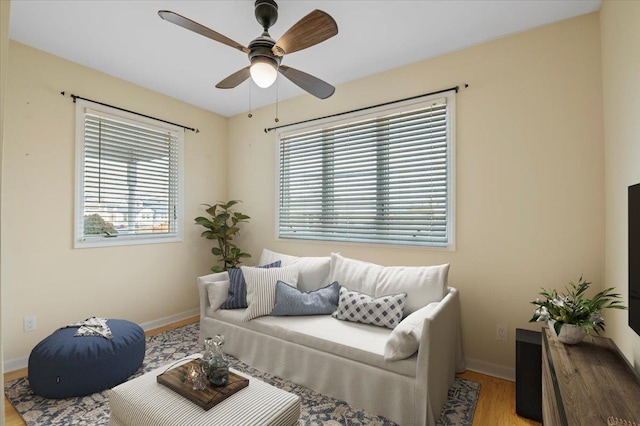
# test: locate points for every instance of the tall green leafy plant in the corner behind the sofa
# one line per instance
(222, 227)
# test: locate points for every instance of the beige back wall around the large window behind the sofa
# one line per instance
(529, 173)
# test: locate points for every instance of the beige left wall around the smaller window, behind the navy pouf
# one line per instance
(42, 274)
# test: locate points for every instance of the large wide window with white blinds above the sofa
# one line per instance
(384, 177)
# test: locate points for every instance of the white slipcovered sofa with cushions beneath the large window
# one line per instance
(402, 374)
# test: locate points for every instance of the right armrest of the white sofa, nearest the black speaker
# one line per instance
(439, 356)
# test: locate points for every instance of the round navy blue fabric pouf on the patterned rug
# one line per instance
(64, 365)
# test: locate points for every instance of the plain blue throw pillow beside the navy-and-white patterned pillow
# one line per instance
(291, 301)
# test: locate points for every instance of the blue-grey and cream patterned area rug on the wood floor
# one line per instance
(172, 345)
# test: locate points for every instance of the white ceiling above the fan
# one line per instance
(127, 39)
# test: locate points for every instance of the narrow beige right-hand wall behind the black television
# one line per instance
(621, 86)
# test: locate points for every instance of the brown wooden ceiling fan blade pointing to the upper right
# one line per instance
(314, 28)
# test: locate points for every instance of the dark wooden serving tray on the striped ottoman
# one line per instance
(174, 379)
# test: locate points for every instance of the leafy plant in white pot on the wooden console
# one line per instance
(572, 315)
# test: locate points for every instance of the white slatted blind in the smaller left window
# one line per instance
(130, 178)
